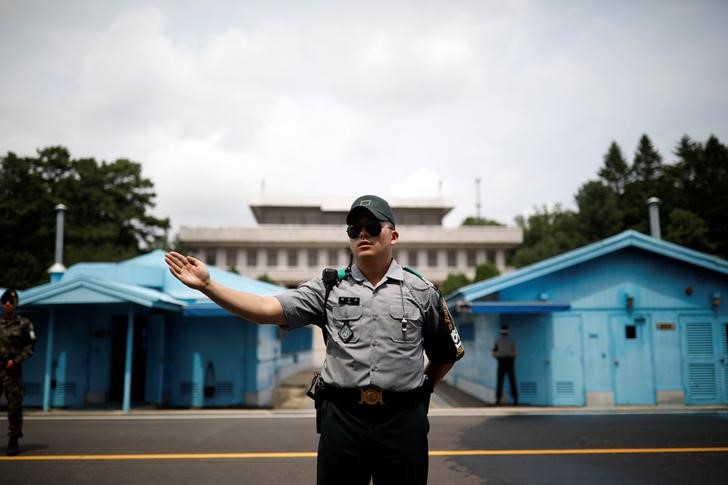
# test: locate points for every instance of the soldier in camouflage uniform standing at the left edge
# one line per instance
(17, 342)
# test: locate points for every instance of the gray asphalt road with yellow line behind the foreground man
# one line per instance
(468, 446)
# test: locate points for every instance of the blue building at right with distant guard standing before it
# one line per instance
(628, 320)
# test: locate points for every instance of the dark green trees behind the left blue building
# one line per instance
(107, 216)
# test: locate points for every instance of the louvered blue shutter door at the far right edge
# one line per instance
(705, 347)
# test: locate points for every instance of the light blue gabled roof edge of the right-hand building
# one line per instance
(626, 239)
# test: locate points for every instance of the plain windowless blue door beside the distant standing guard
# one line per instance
(567, 365)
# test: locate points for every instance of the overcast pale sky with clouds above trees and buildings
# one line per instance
(336, 99)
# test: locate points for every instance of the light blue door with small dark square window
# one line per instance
(634, 381)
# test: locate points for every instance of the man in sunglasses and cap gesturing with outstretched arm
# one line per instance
(379, 321)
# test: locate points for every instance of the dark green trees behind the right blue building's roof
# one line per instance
(693, 192)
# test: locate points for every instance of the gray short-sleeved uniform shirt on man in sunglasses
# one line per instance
(383, 351)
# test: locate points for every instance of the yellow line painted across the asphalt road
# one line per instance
(305, 454)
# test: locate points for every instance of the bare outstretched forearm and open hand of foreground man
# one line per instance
(193, 273)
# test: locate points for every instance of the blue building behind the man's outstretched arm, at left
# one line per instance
(126, 334)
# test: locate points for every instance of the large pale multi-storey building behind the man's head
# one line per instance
(295, 239)
